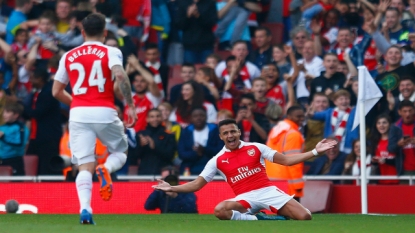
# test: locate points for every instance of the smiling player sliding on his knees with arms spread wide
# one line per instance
(242, 165)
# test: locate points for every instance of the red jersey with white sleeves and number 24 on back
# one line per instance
(88, 69)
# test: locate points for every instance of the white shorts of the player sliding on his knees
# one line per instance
(270, 198)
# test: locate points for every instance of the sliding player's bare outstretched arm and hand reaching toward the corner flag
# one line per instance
(321, 147)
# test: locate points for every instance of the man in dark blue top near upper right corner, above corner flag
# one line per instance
(397, 34)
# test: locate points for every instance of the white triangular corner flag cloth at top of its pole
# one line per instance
(371, 94)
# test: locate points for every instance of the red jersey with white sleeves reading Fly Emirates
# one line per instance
(243, 169)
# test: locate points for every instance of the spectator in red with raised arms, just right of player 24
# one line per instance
(147, 94)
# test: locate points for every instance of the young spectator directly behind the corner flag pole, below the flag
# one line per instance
(352, 163)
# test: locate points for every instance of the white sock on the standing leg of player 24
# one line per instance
(84, 188)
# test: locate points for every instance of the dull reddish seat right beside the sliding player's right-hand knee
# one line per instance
(317, 196)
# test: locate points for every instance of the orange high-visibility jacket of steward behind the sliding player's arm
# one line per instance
(286, 139)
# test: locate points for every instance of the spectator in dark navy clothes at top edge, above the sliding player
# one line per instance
(196, 19)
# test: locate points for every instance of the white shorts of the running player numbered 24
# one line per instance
(82, 139)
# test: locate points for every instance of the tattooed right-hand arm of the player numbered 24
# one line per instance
(125, 89)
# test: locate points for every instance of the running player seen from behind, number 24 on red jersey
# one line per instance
(90, 69)
